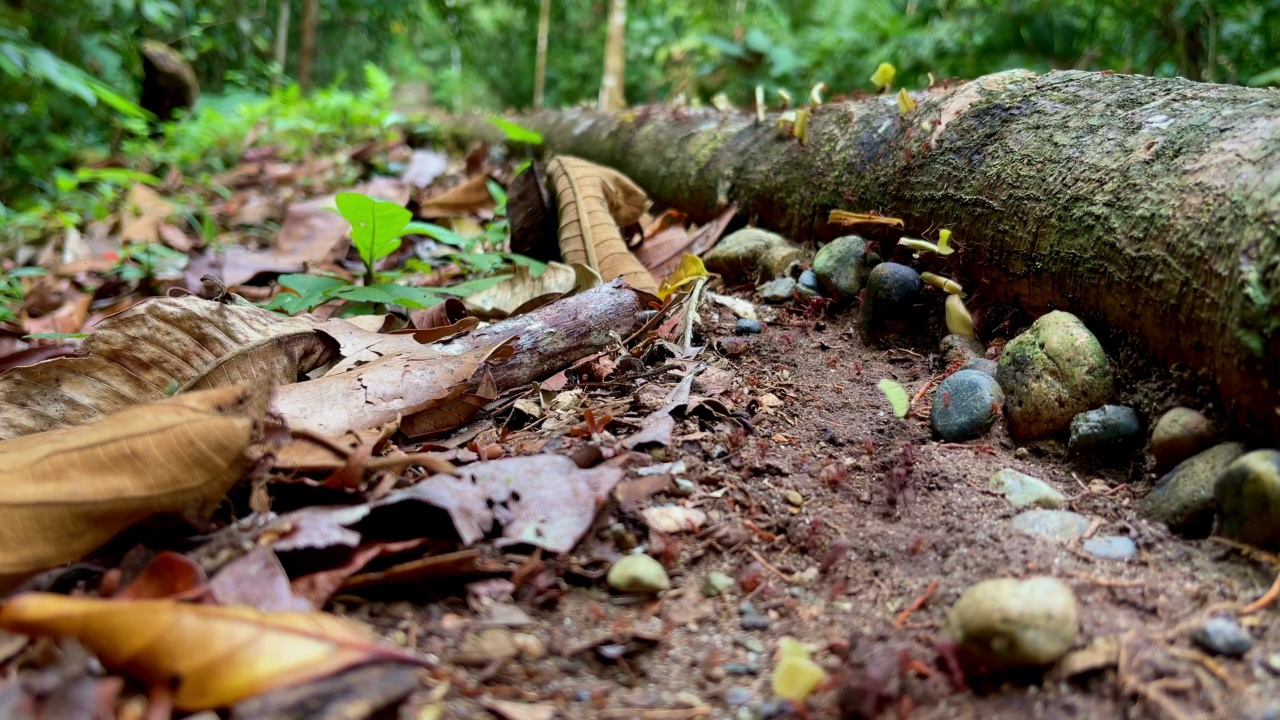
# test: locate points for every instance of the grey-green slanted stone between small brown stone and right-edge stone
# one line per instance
(1185, 498)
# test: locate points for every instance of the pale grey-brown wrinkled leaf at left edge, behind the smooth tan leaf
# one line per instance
(156, 349)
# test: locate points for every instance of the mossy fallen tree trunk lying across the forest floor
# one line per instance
(1149, 207)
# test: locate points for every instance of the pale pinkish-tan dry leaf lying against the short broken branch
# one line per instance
(381, 391)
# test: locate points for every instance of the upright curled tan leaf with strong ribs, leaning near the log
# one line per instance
(593, 203)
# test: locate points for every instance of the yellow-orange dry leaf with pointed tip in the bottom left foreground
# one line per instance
(213, 657)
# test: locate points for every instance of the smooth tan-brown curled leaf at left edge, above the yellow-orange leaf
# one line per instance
(63, 494)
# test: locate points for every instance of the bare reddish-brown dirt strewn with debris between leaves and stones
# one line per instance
(871, 534)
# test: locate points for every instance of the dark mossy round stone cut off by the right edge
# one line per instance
(1249, 496)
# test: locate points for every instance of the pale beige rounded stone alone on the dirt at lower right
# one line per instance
(1011, 623)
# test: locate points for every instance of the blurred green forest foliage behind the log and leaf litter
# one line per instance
(71, 70)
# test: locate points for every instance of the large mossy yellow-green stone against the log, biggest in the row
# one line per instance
(1050, 375)
